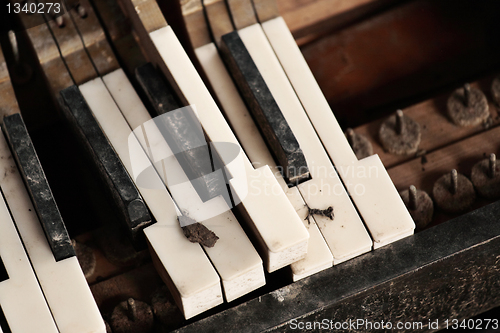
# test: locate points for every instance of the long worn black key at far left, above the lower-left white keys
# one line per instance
(38, 186)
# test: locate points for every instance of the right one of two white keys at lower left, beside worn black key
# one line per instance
(63, 283)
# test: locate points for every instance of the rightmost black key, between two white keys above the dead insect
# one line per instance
(264, 109)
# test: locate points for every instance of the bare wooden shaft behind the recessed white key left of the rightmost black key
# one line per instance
(196, 25)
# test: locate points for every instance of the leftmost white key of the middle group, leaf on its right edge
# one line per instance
(188, 267)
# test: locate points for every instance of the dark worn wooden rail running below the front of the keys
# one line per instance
(449, 271)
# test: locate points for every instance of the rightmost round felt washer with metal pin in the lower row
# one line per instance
(486, 178)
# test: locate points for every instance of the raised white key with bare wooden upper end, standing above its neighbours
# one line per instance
(281, 237)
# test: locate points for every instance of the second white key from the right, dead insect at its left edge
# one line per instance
(346, 235)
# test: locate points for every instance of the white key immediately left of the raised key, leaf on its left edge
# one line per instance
(233, 256)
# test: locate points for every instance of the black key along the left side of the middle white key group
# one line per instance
(129, 202)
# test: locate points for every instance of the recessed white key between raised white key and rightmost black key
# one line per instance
(318, 255)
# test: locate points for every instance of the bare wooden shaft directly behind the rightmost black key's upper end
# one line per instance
(218, 19)
